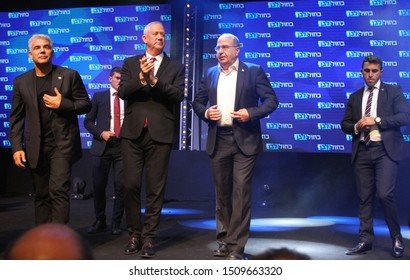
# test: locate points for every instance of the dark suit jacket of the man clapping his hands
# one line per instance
(157, 103)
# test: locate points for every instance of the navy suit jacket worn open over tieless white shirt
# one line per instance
(252, 86)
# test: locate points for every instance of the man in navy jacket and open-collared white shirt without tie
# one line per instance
(232, 98)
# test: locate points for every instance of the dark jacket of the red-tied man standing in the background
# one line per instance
(98, 120)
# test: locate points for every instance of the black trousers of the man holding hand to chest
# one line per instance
(51, 180)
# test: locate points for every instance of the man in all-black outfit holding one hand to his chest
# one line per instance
(44, 132)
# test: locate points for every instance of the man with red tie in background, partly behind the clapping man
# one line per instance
(106, 152)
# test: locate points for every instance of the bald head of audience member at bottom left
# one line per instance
(50, 241)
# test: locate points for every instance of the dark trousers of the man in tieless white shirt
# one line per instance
(232, 171)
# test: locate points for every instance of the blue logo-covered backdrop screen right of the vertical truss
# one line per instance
(312, 52)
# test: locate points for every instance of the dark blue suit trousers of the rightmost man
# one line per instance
(375, 173)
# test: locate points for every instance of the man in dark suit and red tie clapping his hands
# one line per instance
(152, 89)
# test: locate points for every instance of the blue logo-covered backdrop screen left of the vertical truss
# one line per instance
(91, 40)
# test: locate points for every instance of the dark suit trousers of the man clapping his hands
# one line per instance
(139, 155)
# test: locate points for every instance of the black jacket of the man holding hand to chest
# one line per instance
(25, 130)
